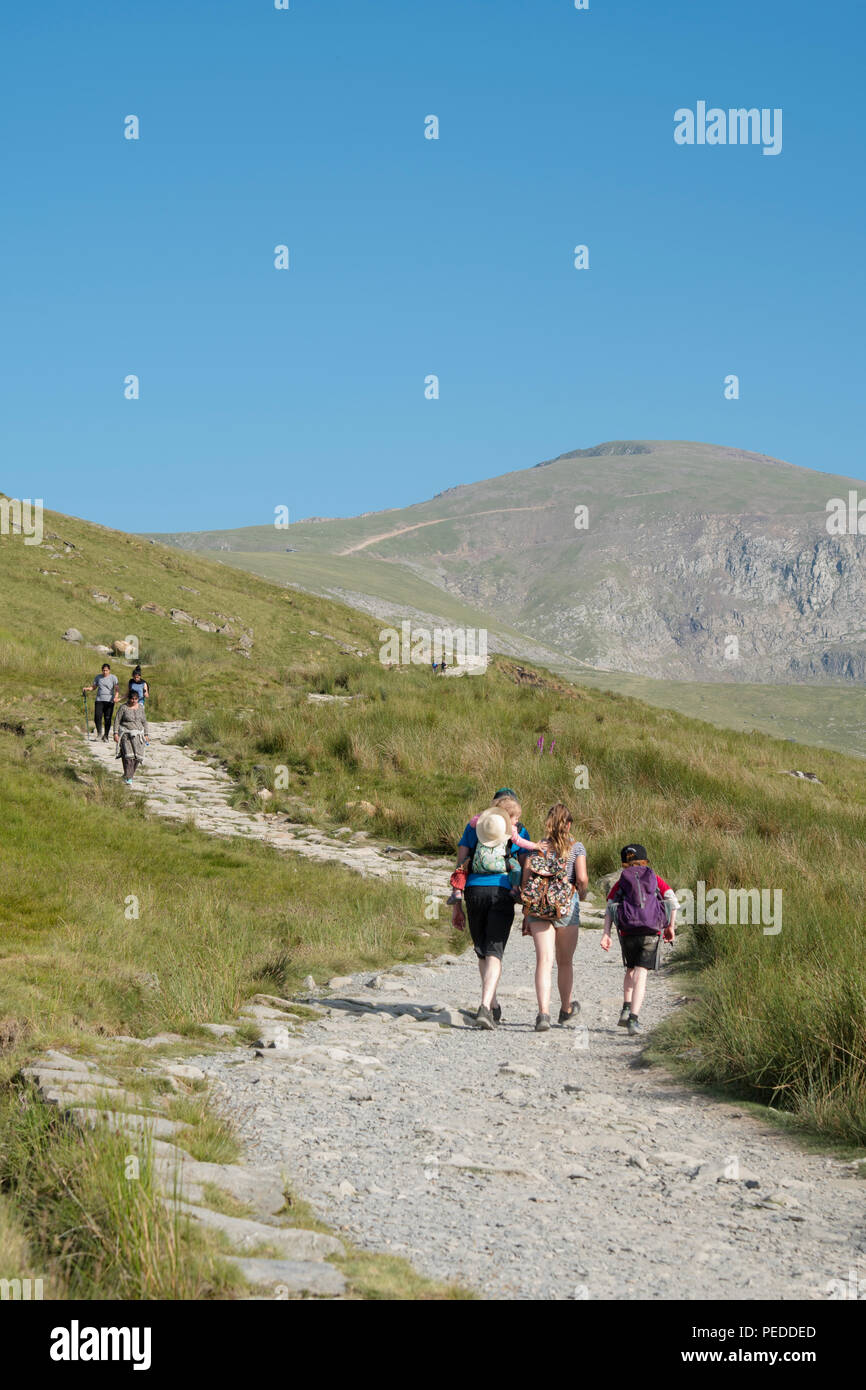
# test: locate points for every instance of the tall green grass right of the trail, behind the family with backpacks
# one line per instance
(782, 1018)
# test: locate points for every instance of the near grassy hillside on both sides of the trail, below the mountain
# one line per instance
(776, 1018)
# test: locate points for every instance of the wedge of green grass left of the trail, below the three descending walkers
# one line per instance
(216, 922)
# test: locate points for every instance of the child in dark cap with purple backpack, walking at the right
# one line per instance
(644, 910)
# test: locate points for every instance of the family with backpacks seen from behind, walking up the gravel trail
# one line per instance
(498, 865)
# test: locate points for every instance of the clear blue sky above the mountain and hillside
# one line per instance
(412, 256)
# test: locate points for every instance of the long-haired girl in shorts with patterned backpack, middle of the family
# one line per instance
(554, 883)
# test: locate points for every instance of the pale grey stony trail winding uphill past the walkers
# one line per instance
(522, 1166)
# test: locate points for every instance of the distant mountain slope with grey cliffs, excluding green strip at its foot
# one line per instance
(690, 561)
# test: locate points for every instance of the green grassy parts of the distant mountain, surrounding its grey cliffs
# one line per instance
(661, 480)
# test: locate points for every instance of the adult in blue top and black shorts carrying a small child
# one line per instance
(490, 897)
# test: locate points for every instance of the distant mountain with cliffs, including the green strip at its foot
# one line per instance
(503, 554)
